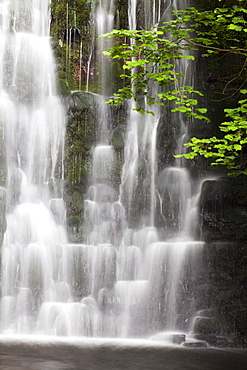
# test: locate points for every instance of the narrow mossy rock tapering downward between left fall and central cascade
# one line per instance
(81, 134)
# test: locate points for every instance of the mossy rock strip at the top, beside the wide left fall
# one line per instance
(70, 29)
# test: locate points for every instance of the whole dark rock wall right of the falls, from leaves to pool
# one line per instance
(223, 209)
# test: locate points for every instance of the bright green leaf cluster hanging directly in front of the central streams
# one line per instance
(152, 57)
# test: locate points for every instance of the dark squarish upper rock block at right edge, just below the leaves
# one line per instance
(223, 208)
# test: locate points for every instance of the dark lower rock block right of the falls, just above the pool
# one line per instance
(225, 291)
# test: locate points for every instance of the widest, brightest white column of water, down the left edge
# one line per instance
(34, 128)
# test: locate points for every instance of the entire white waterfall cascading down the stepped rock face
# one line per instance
(128, 279)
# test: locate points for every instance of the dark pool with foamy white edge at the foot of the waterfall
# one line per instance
(114, 355)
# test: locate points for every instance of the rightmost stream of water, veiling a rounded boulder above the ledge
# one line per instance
(178, 198)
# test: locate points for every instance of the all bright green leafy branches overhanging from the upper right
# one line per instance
(220, 32)
